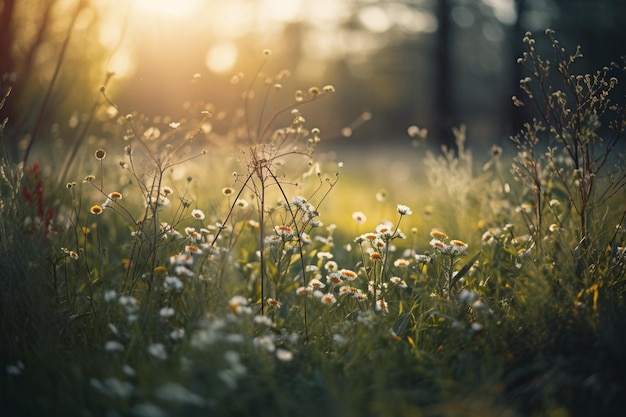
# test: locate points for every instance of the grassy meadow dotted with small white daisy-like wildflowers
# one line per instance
(173, 269)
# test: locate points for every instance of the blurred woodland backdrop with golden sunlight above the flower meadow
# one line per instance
(431, 63)
